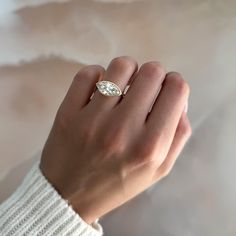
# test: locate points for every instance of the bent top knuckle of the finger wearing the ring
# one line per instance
(123, 62)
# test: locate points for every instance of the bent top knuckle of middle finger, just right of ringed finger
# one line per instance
(153, 69)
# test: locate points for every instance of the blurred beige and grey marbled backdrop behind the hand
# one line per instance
(43, 44)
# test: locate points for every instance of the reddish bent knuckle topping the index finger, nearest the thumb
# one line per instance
(177, 81)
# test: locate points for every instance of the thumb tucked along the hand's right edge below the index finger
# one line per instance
(182, 134)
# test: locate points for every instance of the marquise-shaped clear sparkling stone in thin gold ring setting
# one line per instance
(108, 88)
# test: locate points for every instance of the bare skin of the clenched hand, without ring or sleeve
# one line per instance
(103, 151)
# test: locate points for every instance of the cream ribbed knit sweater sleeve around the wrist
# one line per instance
(36, 208)
